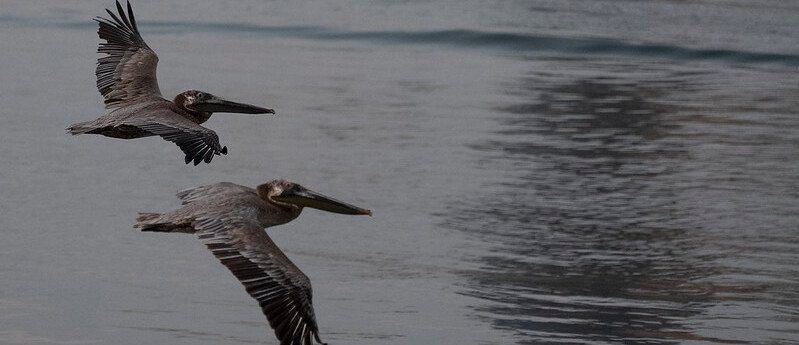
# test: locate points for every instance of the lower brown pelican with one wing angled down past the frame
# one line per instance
(230, 220)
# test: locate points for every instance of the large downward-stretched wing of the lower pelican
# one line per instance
(281, 289)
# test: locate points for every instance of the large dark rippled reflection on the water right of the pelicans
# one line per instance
(595, 230)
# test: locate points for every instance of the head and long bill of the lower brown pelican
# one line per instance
(294, 197)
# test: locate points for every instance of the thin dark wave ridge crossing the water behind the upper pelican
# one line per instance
(475, 39)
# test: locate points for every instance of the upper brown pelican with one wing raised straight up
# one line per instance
(126, 79)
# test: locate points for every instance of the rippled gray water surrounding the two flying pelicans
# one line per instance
(571, 172)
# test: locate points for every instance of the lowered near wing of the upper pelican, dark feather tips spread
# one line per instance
(197, 142)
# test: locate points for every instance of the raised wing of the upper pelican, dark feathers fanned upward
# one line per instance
(128, 72)
